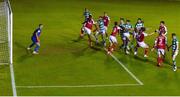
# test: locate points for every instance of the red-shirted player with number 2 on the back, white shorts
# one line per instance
(160, 45)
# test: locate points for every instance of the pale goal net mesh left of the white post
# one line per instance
(4, 45)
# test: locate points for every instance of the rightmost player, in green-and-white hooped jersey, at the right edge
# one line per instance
(175, 50)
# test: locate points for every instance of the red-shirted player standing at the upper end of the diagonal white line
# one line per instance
(112, 38)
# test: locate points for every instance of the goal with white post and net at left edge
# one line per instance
(5, 33)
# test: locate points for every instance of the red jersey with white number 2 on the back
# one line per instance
(160, 42)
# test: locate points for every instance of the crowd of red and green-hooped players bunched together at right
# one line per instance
(125, 30)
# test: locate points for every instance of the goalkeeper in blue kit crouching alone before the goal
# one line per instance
(35, 39)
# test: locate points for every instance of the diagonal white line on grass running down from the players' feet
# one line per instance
(140, 83)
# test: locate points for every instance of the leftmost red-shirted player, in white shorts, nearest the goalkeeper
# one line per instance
(87, 28)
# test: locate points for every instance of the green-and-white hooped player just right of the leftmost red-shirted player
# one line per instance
(100, 30)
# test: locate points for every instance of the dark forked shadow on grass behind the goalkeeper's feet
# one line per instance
(23, 56)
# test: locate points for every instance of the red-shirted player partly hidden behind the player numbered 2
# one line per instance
(162, 28)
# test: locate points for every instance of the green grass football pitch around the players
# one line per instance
(68, 66)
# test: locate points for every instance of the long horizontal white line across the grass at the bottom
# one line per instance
(79, 86)
